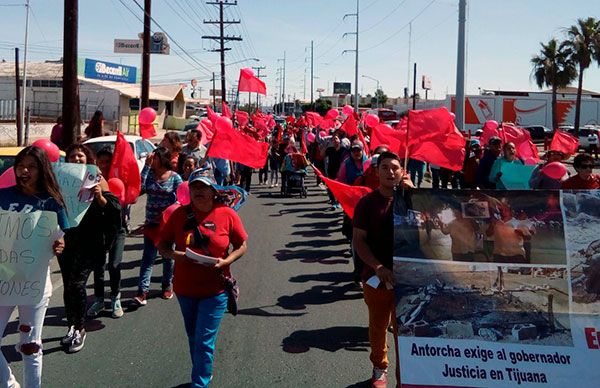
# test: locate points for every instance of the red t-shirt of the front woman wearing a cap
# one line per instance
(221, 227)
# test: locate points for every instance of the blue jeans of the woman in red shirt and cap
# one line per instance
(202, 318)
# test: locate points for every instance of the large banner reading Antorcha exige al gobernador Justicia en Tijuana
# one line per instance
(497, 288)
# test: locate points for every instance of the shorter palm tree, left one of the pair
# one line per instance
(551, 68)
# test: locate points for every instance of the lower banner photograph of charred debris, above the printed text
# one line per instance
(483, 302)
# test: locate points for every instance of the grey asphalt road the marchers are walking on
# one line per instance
(302, 322)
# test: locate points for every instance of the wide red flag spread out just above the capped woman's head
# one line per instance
(237, 146)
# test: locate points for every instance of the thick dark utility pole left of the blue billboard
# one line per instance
(70, 98)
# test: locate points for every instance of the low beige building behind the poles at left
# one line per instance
(118, 101)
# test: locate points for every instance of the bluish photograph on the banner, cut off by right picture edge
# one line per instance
(582, 218)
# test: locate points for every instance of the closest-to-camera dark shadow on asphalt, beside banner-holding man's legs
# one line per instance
(331, 339)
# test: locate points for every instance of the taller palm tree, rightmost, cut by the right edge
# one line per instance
(583, 43)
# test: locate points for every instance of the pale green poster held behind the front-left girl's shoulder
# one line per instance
(75, 181)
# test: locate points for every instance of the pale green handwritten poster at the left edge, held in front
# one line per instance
(25, 249)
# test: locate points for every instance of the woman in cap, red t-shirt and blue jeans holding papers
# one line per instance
(207, 227)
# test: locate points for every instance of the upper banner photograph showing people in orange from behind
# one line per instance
(496, 226)
